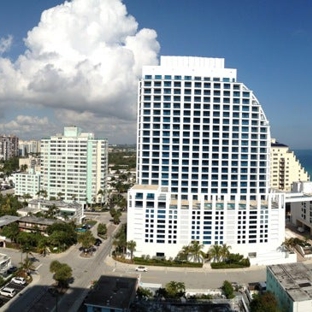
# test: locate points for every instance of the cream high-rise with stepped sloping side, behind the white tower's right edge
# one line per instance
(285, 167)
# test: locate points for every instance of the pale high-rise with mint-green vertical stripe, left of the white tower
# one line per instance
(74, 166)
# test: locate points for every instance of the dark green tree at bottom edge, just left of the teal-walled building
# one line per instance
(264, 302)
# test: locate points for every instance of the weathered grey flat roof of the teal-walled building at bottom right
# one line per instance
(295, 278)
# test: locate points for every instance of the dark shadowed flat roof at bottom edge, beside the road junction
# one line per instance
(113, 292)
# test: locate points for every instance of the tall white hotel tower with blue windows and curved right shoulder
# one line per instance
(203, 144)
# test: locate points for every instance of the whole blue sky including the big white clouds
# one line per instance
(78, 62)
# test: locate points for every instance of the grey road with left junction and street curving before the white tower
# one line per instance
(86, 270)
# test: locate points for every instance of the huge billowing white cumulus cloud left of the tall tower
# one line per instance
(83, 59)
